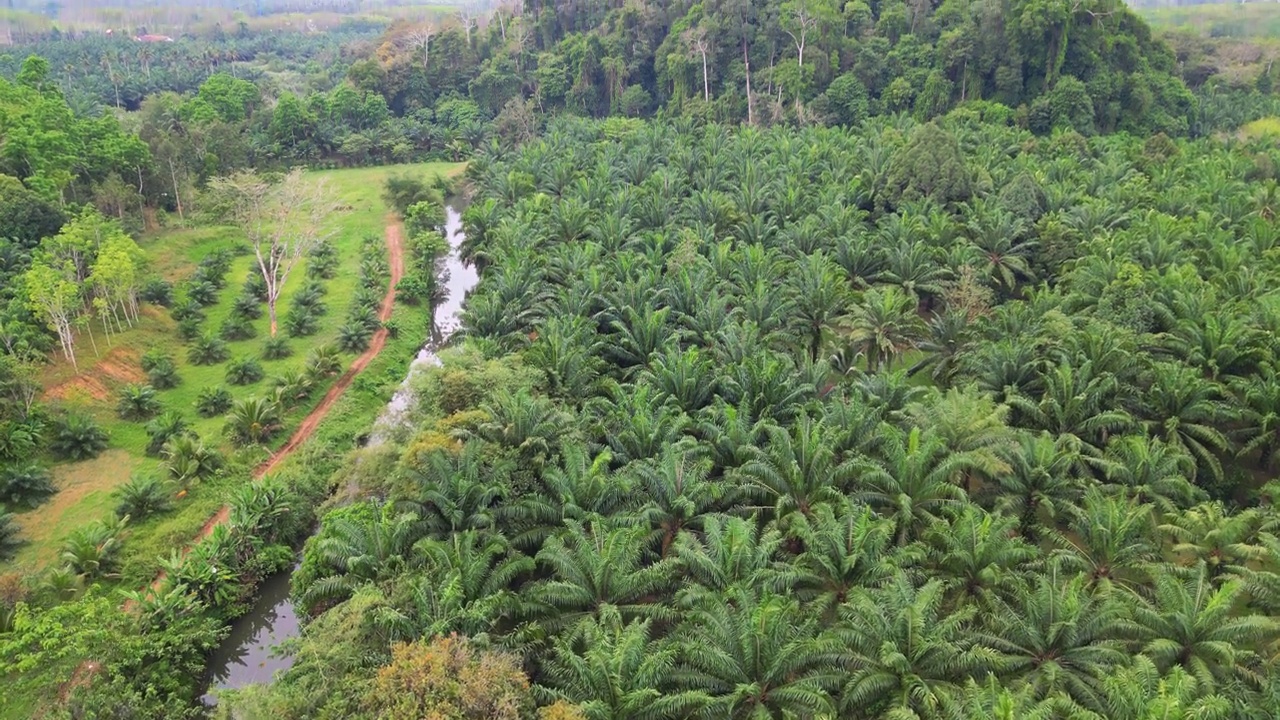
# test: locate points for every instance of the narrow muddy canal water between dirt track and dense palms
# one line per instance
(246, 657)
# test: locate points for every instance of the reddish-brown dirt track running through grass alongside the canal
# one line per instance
(396, 253)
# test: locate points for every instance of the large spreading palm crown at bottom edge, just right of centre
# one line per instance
(758, 657)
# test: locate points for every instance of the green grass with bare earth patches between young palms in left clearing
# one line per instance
(85, 489)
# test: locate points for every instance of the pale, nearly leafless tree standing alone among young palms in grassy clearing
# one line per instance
(284, 222)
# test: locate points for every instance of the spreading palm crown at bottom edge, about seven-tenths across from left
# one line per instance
(911, 658)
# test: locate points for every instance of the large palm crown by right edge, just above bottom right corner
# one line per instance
(1192, 625)
